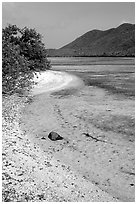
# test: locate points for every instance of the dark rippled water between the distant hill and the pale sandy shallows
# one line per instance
(116, 75)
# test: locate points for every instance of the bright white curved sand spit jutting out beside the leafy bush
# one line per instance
(51, 80)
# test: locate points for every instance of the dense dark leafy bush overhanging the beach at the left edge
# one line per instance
(23, 54)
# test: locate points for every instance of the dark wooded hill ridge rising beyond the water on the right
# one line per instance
(118, 41)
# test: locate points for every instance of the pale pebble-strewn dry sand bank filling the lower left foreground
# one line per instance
(30, 174)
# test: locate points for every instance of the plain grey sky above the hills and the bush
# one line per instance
(62, 22)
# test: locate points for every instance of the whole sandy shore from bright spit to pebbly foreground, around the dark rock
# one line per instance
(36, 169)
